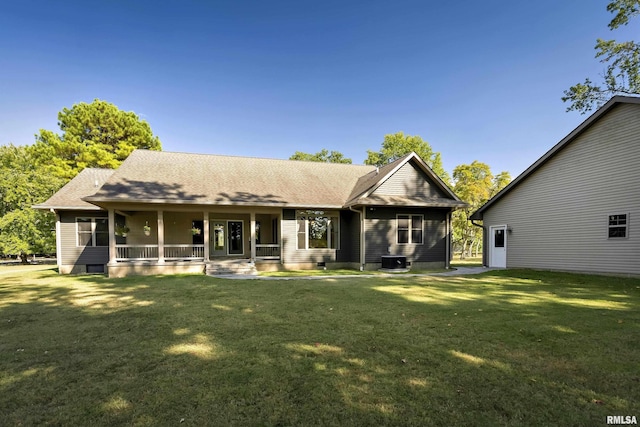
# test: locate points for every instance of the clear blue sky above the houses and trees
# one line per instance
(477, 80)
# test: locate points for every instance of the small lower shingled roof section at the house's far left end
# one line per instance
(84, 184)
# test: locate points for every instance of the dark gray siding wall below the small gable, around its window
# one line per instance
(381, 235)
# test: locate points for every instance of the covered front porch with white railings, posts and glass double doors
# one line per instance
(181, 237)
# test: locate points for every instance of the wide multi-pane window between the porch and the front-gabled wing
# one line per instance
(317, 230)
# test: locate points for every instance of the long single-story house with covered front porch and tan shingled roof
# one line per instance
(164, 212)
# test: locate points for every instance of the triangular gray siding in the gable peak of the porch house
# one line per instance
(407, 181)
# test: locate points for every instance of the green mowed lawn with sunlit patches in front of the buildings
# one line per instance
(502, 348)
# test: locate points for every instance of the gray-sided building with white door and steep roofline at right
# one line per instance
(577, 208)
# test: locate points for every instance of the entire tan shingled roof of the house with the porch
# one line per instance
(199, 179)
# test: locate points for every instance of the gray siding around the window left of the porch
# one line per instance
(72, 254)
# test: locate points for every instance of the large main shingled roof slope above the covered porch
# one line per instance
(167, 177)
